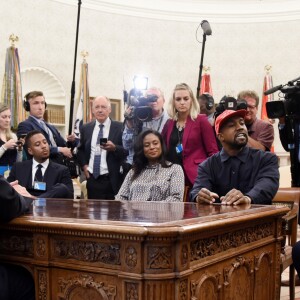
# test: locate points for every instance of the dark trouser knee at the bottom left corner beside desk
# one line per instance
(16, 283)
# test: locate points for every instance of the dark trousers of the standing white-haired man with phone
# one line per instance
(100, 188)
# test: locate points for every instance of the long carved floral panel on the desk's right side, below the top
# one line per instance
(217, 244)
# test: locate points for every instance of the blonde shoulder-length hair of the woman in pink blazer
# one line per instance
(194, 110)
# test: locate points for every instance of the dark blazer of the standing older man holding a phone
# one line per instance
(114, 159)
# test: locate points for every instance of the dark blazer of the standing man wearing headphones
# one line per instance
(31, 124)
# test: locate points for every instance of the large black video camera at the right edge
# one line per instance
(290, 106)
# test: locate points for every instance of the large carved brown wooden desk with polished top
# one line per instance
(110, 250)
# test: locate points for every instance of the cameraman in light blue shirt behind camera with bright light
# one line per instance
(159, 118)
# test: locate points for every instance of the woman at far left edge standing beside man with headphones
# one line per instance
(11, 149)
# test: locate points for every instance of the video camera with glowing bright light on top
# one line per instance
(139, 109)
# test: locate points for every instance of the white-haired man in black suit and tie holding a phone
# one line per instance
(100, 152)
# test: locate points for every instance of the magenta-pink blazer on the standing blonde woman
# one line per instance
(198, 143)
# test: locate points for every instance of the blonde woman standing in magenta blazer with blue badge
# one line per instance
(188, 135)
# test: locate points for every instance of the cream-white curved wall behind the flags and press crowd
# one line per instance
(167, 52)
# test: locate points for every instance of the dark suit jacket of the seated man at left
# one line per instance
(54, 174)
